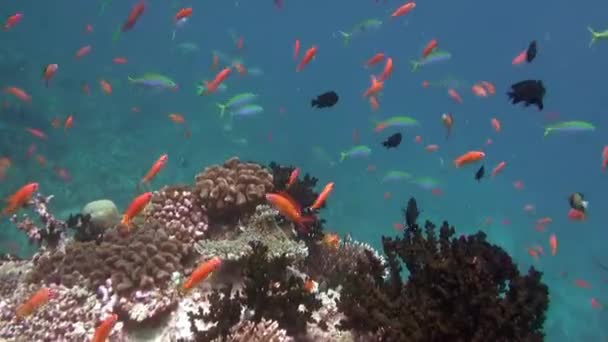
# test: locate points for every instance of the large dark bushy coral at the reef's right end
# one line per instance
(459, 289)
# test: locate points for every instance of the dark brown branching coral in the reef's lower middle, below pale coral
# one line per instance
(273, 293)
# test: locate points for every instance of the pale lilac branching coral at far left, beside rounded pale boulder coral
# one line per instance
(52, 231)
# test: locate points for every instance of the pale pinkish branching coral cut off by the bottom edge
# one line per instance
(263, 331)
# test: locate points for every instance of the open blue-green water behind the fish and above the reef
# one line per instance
(116, 137)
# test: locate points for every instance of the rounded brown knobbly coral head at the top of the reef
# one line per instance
(233, 190)
